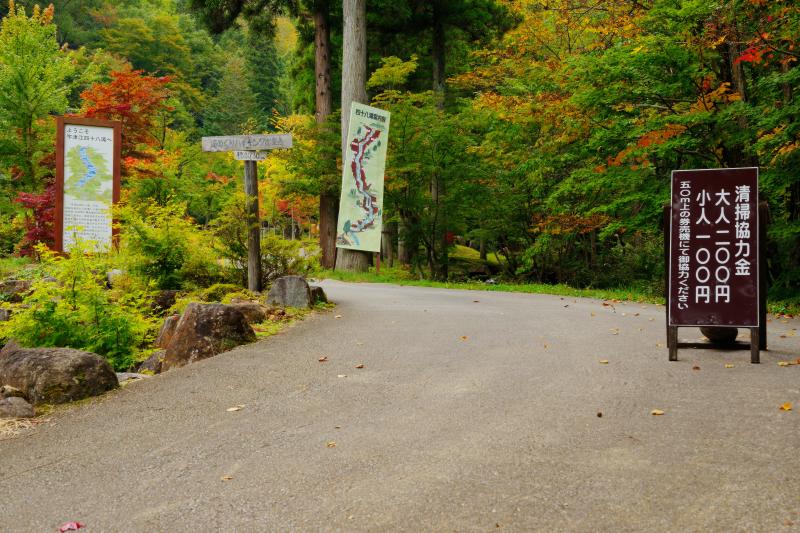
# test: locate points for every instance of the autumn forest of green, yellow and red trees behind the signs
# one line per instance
(540, 133)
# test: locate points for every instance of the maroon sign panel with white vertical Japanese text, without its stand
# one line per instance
(713, 261)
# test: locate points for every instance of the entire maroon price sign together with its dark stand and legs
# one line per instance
(742, 296)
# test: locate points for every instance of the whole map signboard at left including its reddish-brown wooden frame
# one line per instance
(87, 181)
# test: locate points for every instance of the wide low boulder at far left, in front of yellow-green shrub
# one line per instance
(55, 375)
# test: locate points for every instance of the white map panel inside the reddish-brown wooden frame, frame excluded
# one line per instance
(88, 185)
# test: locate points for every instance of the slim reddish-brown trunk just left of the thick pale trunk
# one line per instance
(328, 200)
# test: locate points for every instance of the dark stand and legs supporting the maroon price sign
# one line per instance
(758, 336)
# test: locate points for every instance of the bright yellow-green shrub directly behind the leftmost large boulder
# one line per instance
(77, 311)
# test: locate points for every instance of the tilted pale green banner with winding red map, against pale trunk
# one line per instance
(361, 204)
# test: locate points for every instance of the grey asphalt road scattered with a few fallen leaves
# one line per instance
(474, 411)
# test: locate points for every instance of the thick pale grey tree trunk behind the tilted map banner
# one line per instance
(354, 89)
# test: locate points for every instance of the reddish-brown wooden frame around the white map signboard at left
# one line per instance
(62, 123)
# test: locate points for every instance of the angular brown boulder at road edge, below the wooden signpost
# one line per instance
(205, 330)
